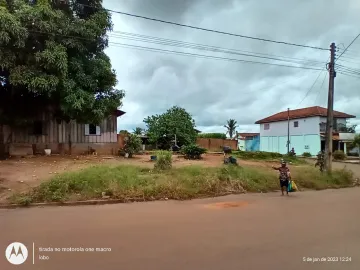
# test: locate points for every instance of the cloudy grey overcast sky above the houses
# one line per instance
(216, 90)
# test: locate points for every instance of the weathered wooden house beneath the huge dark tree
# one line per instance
(61, 137)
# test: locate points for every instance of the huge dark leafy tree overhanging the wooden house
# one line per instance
(52, 61)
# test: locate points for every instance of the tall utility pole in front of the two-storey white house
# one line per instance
(330, 111)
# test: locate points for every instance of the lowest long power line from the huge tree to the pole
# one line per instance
(123, 45)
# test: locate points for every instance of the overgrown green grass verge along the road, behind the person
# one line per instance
(131, 183)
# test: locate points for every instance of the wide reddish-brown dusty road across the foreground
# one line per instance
(266, 231)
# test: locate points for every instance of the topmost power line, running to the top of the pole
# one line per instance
(211, 30)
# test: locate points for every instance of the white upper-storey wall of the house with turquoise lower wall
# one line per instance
(306, 126)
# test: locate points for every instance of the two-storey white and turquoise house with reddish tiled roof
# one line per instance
(307, 131)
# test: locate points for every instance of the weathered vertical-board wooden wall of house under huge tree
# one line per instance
(57, 133)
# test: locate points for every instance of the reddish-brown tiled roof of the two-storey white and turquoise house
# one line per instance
(302, 113)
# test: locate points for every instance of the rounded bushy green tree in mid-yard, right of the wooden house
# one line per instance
(161, 129)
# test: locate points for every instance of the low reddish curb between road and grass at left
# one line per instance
(78, 203)
